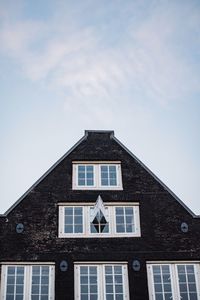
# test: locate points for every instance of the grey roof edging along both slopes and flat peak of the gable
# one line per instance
(76, 145)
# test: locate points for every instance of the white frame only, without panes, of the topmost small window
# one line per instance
(97, 175)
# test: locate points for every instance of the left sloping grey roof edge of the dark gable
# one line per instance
(44, 175)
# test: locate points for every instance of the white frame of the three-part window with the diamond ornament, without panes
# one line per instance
(112, 221)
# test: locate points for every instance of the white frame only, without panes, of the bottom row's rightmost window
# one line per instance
(174, 277)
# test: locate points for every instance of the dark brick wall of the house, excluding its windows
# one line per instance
(161, 216)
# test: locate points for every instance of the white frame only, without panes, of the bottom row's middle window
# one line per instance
(101, 278)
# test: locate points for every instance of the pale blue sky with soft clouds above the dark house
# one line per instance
(132, 66)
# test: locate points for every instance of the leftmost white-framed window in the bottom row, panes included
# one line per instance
(27, 282)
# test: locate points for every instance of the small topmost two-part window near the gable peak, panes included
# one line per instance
(95, 175)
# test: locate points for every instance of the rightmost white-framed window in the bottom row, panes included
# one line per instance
(174, 281)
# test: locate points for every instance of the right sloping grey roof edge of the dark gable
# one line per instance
(157, 179)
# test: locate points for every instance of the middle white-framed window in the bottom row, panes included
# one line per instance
(101, 281)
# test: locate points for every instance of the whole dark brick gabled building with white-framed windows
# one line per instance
(99, 225)
